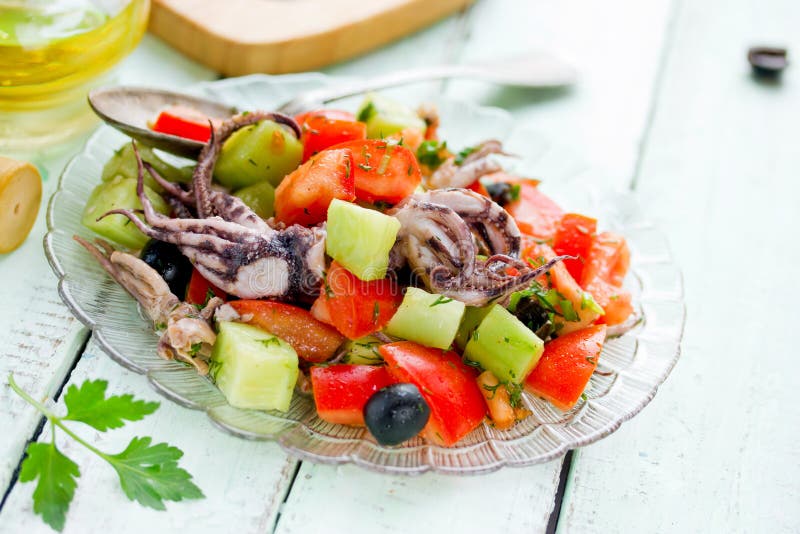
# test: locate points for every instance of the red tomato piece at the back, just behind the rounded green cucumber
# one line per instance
(325, 128)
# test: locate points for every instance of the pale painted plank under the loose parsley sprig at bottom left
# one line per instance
(244, 481)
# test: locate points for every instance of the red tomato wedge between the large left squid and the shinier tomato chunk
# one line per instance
(304, 195)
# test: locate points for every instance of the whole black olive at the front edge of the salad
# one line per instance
(396, 413)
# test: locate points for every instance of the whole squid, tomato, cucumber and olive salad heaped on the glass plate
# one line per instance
(406, 285)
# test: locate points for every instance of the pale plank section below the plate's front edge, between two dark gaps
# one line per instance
(348, 499)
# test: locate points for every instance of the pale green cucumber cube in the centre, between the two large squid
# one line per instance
(360, 239)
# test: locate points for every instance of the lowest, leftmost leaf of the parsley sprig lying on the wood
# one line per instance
(57, 479)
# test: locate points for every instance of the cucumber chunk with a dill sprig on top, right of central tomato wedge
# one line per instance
(428, 319)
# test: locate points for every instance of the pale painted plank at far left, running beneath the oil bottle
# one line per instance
(41, 336)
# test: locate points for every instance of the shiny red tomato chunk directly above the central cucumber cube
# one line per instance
(384, 171)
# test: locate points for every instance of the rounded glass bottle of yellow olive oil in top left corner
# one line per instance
(51, 53)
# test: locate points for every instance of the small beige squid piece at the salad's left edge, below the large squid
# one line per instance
(187, 334)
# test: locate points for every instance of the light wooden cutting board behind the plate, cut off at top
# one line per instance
(238, 37)
